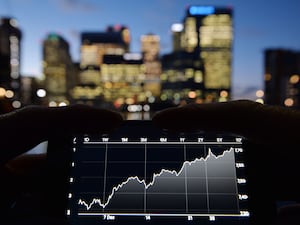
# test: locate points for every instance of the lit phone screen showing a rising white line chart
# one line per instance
(141, 174)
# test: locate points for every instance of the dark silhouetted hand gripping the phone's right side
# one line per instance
(272, 157)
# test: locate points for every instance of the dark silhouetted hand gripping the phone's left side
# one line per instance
(25, 188)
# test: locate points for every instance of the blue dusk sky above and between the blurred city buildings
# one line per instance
(257, 26)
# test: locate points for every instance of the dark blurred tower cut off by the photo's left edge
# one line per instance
(10, 40)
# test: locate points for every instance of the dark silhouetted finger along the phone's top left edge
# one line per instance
(25, 128)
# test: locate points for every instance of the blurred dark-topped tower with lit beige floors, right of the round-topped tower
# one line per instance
(94, 46)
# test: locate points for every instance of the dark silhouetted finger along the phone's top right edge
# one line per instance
(258, 122)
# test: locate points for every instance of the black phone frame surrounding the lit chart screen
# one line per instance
(60, 156)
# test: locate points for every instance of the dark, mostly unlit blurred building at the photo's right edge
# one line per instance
(282, 76)
